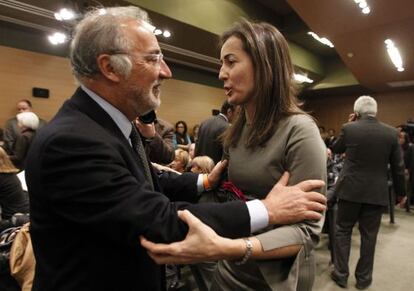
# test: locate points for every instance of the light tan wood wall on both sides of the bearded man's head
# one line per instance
(21, 70)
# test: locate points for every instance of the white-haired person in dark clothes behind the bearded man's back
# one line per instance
(28, 122)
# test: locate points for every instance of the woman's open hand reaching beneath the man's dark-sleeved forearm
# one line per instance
(200, 244)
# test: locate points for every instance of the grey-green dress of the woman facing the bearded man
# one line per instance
(295, 147)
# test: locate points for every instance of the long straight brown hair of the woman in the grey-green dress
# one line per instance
(274, 91)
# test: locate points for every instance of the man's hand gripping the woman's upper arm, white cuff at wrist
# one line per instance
(291, 204)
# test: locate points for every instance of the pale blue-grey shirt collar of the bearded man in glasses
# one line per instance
(118, 117)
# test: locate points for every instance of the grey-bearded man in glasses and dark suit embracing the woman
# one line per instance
(92, 190)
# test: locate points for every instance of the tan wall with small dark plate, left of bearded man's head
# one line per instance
(21, 70)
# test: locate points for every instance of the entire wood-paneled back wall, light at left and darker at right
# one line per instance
(22, 70)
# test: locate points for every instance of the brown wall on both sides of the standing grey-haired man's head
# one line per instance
(394, 108)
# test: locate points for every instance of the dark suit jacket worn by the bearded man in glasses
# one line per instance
(90, 202)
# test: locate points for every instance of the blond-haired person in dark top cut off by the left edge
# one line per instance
(12, 197)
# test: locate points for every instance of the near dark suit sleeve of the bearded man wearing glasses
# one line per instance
(92, 184)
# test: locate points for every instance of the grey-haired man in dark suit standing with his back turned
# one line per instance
(362, 188)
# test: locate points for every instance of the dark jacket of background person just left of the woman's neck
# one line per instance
(208, 142)
